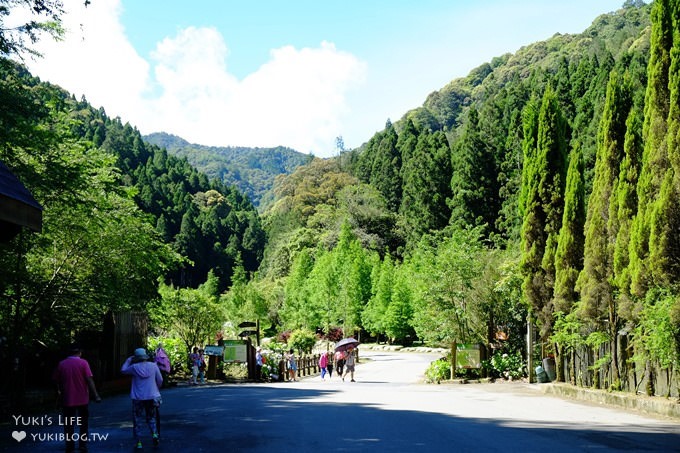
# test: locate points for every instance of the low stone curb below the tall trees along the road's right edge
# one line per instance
(655, 405)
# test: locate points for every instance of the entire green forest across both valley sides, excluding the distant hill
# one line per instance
(541, 190)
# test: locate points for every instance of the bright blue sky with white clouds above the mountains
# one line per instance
(295, 73)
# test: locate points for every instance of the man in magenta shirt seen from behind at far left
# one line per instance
(75, 385)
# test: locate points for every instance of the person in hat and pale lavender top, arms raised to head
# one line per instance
(146, 379)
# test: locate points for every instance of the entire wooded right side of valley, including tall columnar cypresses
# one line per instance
(542, 186)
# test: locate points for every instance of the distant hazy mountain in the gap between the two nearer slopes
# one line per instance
(251, 170)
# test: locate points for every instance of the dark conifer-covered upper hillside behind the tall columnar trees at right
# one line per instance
(481, 118)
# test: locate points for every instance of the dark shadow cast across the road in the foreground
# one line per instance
(279, 417)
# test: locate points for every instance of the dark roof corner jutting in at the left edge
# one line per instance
(17, 206)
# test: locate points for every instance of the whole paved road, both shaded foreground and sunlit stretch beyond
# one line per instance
(388, 409)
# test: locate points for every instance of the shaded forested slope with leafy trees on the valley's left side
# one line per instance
(120, 215)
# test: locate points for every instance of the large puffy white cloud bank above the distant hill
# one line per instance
(296, 99)
